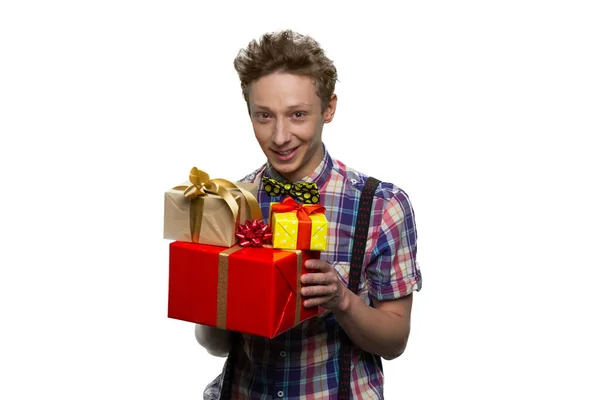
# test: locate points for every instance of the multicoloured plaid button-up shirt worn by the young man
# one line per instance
(302, 362)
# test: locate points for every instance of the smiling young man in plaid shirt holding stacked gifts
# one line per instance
(288, 84)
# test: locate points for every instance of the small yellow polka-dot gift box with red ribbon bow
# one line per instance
(298, 226)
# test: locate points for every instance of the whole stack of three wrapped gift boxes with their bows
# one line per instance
(231, 268)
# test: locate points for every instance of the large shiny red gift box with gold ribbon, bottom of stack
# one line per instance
(244, 289)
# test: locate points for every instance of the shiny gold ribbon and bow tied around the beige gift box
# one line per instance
(201, 186)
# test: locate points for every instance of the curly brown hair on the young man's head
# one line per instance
(286, 51)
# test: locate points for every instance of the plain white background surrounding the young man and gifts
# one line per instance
(484, 112)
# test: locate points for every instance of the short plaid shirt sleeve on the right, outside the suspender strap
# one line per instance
(393, 270)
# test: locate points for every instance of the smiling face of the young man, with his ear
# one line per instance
(287, 119)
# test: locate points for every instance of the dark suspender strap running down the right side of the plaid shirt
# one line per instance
(358, 253)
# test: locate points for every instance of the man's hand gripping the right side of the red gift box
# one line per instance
(322, 287)
